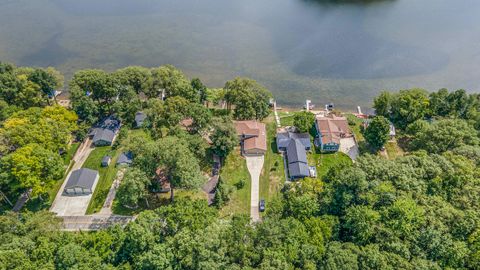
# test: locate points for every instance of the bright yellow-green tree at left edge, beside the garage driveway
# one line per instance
(32, 166)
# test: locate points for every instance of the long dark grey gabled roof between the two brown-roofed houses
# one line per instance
(297, 160)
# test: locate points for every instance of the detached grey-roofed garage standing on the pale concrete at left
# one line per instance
(81, 182)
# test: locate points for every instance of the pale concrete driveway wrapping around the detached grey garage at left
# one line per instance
(74, 205)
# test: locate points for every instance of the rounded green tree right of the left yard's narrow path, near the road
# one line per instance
(133, 188)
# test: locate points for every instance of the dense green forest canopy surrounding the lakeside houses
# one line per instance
(418, 211)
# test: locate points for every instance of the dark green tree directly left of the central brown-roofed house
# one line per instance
(224, 137)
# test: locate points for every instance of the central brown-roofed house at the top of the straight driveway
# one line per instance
(253, 138)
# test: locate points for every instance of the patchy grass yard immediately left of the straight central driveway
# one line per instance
(234, 170)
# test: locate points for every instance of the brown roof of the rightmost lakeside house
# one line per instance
(332, 128)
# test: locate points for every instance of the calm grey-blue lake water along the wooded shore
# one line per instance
(327, 51)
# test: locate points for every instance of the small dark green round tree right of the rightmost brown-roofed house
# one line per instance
(377, 132)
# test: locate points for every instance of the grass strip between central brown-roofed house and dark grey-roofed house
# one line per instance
(273, 174)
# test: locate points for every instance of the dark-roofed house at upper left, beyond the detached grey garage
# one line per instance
(104, 133)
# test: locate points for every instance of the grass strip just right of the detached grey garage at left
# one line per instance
(107, 175)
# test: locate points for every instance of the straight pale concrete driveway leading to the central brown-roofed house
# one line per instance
(254, 166)
